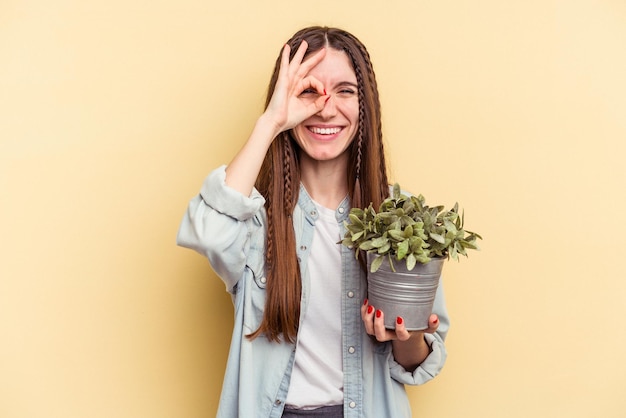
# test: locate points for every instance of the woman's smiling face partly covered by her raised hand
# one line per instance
(326, 135)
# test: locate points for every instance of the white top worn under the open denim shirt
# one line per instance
(317, 377)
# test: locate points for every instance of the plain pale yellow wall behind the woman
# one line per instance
(111, 113)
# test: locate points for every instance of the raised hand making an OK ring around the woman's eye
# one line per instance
(286, 108)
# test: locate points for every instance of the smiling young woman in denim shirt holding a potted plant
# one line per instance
(305, 341)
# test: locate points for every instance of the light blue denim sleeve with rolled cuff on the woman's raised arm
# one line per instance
(218, 224)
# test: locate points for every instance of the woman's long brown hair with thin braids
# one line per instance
(279, 181)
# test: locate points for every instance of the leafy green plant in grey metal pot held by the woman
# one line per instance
(406, 243)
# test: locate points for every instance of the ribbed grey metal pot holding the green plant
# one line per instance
(409, 294)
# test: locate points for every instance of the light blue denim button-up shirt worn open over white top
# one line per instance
(229, 229)
